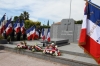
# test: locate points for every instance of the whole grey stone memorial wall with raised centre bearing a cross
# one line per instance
(67, 29)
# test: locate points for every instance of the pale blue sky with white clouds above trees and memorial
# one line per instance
(44, 10)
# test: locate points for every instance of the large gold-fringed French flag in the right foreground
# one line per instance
(90, 35)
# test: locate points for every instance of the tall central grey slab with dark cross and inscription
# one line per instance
(67, 29)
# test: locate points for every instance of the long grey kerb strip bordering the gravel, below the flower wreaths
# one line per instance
(50, 58)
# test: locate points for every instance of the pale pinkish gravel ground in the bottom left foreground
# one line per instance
(14, 59)
